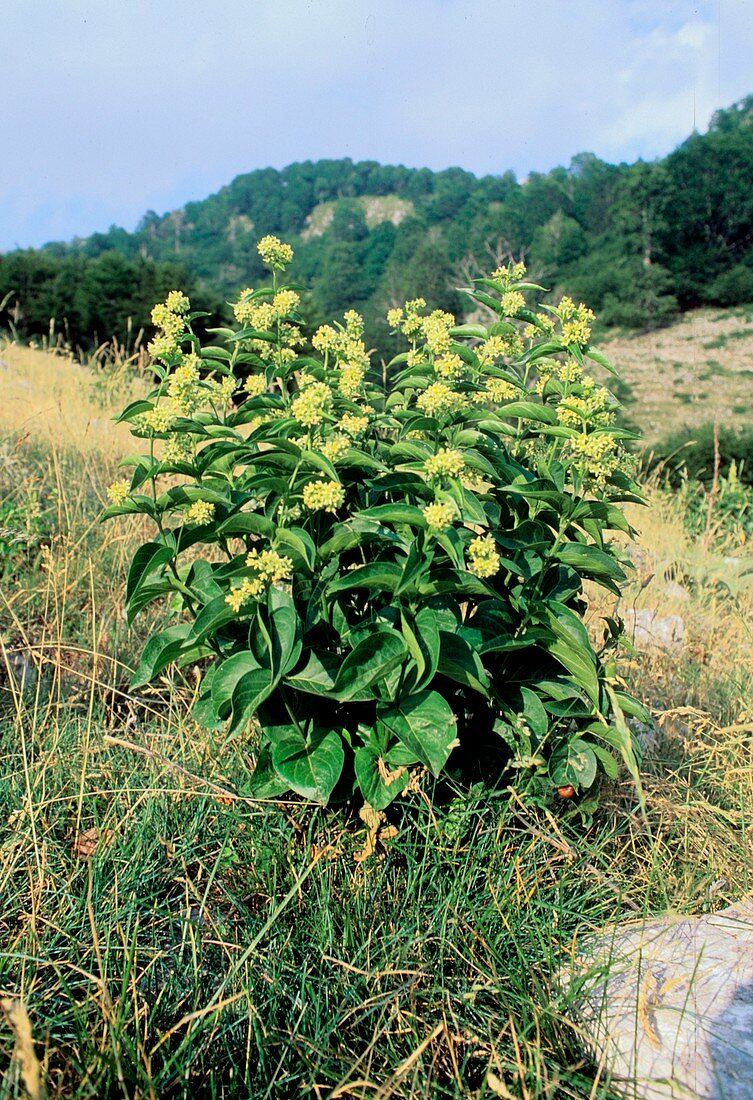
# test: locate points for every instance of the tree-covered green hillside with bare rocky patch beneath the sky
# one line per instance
(638, 243)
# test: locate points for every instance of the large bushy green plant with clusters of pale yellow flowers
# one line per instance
(384, 568)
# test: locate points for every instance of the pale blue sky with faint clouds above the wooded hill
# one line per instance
(116, 107)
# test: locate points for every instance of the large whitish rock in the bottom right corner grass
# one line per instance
(667, 1006)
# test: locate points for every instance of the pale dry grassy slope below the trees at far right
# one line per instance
(692, 372)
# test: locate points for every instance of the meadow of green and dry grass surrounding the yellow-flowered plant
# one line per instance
(170, 936)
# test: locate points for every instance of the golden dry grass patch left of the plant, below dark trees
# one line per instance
(54, 400)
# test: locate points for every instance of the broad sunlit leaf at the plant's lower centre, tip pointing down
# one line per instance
(426, 725)
